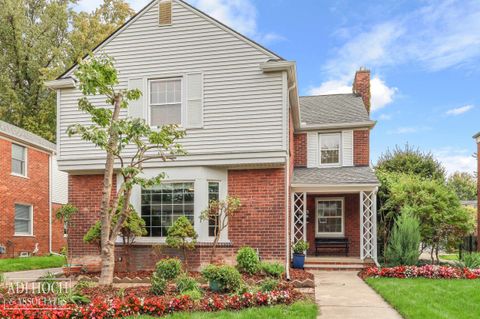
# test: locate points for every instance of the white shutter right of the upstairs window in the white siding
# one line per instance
(194, 105)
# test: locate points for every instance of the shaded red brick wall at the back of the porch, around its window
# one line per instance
(352, 223)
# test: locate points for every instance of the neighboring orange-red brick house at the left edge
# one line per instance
(31, 190)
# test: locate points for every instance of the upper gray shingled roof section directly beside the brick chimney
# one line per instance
(332, 109)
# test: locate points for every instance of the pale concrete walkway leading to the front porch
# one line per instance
(342, 294)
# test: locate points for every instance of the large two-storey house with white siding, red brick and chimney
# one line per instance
(249, 135)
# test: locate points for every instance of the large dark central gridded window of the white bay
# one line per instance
(162, 205)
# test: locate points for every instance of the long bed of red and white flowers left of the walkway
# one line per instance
(133, 305)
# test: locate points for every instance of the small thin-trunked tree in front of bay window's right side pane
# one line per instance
(220, 212)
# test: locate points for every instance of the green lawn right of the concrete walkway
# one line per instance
(430, 298)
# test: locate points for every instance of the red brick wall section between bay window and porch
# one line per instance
(260, 223)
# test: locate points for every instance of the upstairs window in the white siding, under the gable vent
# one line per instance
(165, 101)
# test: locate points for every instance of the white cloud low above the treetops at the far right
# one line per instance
(456, 160)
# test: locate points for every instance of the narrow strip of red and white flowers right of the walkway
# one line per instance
(427, 271)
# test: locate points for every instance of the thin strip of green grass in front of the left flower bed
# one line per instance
(298, 310)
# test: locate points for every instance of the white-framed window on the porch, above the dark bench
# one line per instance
(329, 217)
